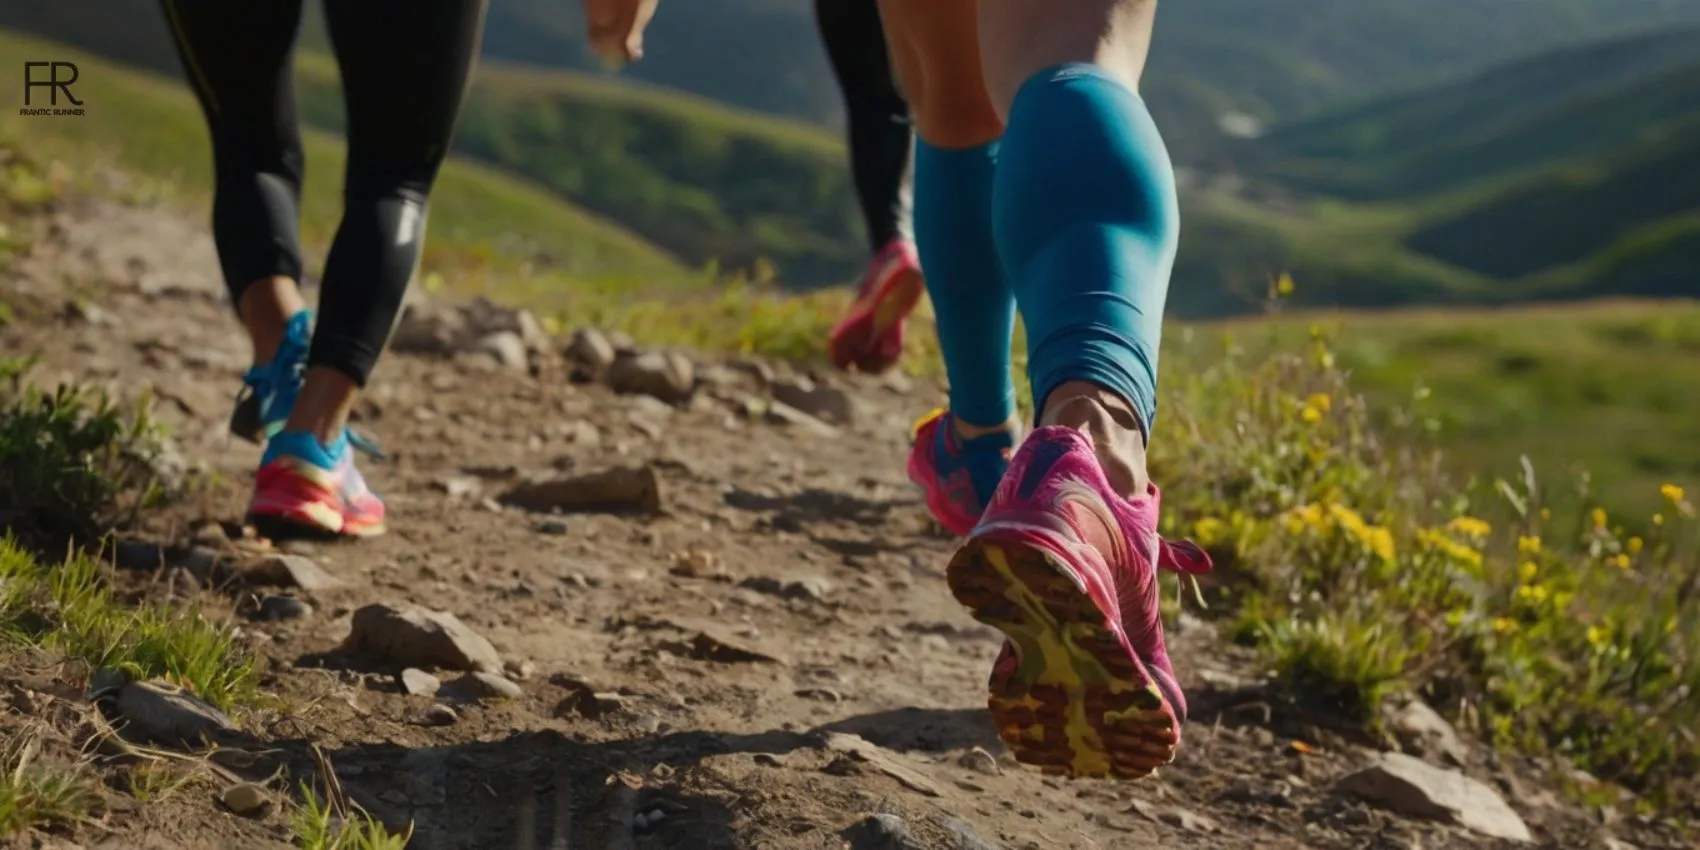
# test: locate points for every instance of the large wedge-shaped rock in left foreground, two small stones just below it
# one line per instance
(416, 637)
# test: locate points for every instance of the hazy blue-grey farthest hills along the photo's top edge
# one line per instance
(1211, 57)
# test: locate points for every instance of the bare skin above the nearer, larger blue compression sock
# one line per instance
(1021, 38)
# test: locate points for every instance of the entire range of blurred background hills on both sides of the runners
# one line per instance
(1563, 171)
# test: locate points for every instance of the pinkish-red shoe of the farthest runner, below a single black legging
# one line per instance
(871, 336)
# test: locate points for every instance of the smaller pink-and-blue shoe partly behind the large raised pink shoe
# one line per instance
(958, 477)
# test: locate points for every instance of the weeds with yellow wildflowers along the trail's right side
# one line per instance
(1361, 572)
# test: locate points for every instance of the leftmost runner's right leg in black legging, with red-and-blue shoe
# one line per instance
(405, 67)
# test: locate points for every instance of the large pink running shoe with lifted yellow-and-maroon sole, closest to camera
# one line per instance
(1068, 570)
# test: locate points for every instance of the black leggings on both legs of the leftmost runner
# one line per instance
(405, 67)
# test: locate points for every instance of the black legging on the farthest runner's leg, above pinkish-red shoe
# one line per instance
(880, 118)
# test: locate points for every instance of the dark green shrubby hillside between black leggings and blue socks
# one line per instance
(705, 181)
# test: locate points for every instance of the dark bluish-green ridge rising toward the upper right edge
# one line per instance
(1509, 120)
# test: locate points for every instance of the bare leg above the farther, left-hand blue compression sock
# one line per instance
(936, 52)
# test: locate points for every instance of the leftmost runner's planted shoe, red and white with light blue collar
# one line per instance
(305, 489)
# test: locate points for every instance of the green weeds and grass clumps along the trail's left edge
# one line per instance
(72, 465)
